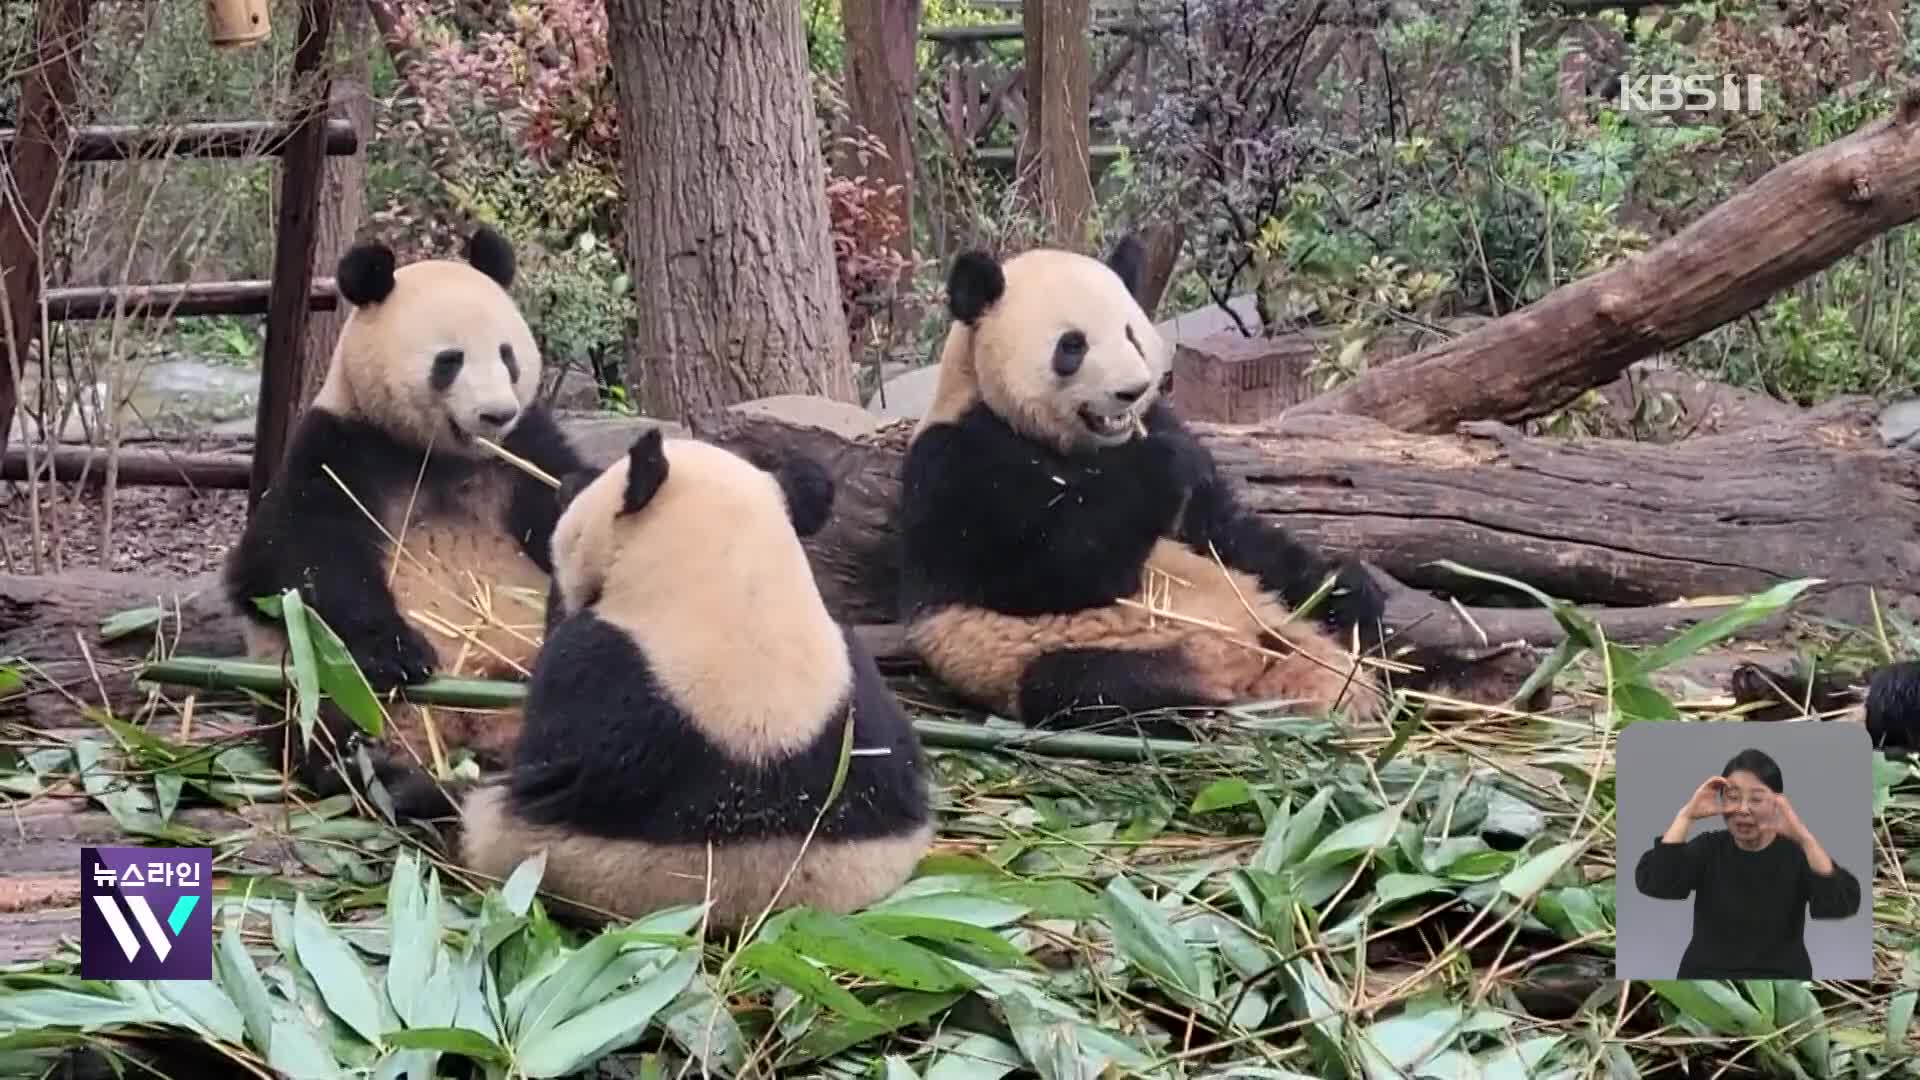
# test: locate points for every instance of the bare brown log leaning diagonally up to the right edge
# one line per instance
(1794, 222)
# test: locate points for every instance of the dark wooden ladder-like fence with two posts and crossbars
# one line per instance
(36, 155)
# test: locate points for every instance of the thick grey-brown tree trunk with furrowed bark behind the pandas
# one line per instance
(727, 224)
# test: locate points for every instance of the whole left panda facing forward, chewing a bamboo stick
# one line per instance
(431, 358)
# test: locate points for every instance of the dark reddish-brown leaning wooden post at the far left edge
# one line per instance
(34, 168)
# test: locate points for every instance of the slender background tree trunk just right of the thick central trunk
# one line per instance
(880, 95)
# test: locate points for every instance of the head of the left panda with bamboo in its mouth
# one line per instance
(435, 353)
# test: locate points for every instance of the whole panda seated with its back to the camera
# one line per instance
(688, 712)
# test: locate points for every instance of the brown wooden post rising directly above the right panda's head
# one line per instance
(1053, 157)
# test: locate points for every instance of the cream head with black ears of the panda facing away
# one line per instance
(686, 520)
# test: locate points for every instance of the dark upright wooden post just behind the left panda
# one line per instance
(302, 174)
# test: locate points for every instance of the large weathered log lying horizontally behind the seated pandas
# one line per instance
(1600, 522)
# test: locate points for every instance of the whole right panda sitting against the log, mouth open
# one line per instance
(1049, 481)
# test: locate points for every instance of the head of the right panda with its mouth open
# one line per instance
(1053, 343)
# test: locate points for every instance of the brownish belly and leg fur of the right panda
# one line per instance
(1247, 650)
